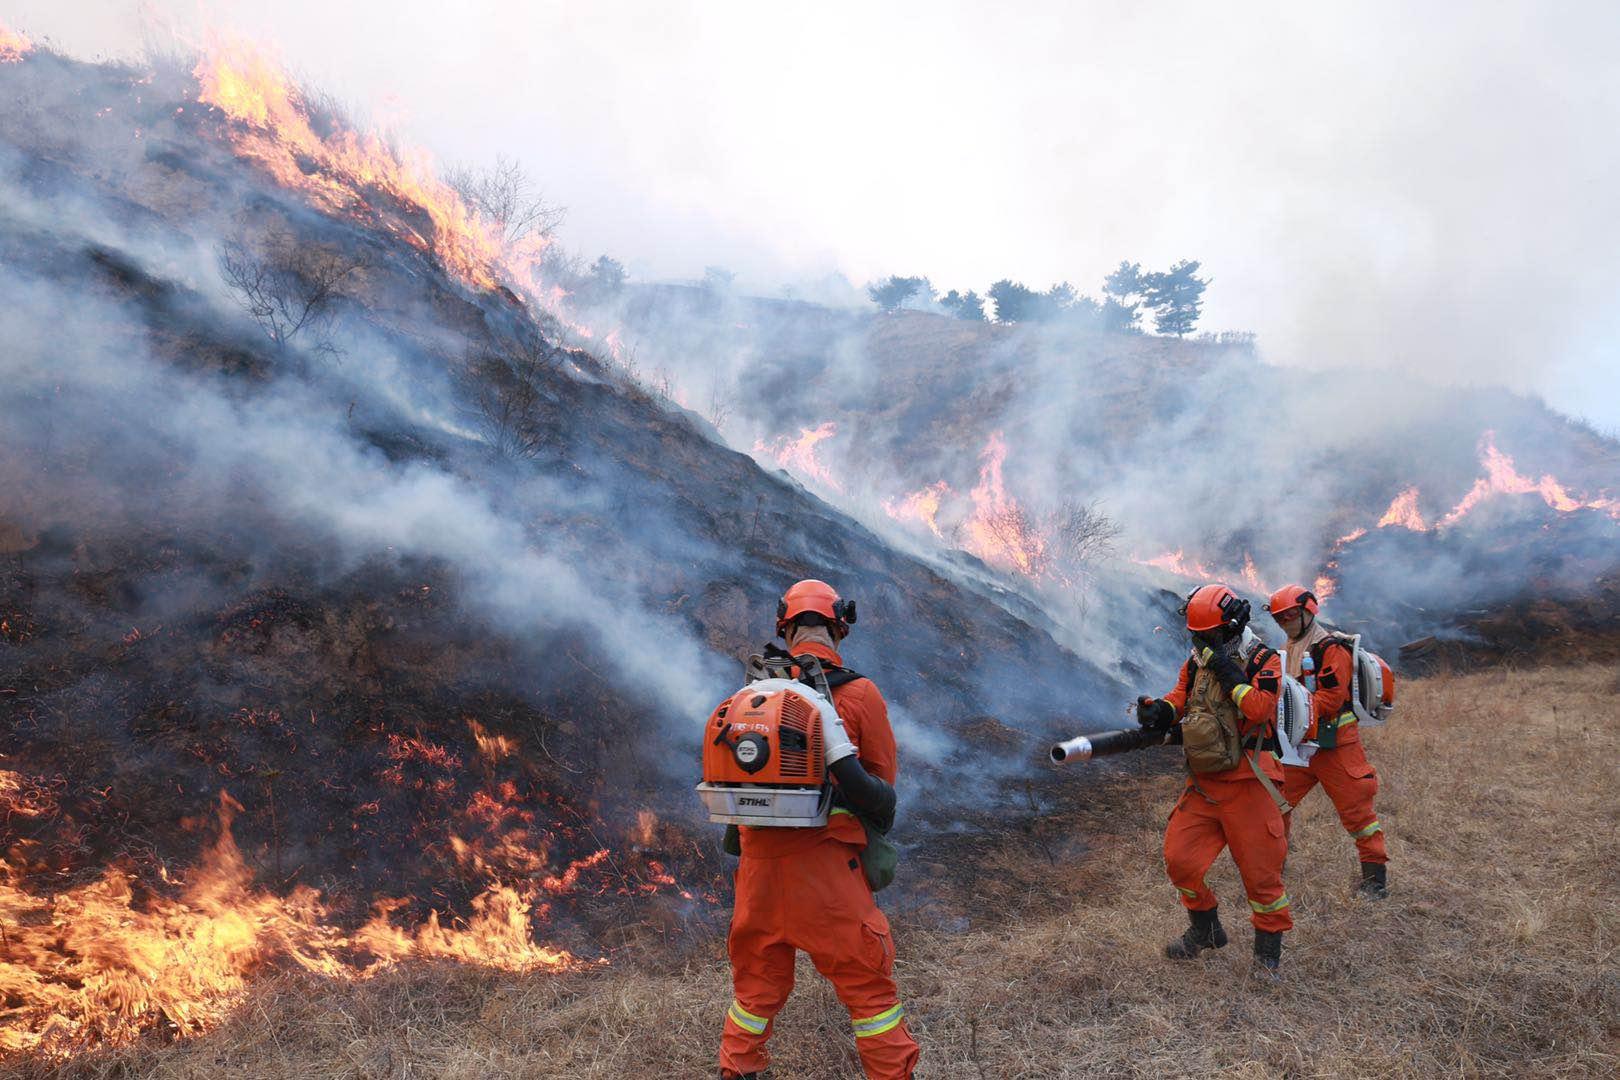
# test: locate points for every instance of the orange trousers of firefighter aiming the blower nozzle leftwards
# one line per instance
(1238, 815)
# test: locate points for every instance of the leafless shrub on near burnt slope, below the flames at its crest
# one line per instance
(289, 289)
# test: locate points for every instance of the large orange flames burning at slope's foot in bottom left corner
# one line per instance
(93, 966)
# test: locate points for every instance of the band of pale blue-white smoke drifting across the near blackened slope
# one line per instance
(284, 462)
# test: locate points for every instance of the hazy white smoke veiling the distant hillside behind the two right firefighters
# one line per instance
(1187, 446)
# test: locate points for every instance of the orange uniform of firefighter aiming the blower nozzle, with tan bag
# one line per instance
(1232, 809)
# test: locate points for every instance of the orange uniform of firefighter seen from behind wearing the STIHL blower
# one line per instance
(806, 890)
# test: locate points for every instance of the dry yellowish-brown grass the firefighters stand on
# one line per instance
(1498, 953)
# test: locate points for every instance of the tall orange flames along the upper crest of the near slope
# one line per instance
(346, 172)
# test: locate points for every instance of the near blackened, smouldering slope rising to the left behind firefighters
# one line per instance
(288, 561)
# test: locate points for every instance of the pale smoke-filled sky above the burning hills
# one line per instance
(1410, 187)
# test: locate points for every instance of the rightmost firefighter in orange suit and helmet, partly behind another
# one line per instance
(1341, 765)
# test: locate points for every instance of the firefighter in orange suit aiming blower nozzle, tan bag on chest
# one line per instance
(1224, 712)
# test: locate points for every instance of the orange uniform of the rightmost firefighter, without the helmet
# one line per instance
(1344, 772)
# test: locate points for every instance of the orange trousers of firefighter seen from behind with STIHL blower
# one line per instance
(817, 901)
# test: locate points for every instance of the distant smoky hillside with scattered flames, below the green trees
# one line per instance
(1209, 459)
